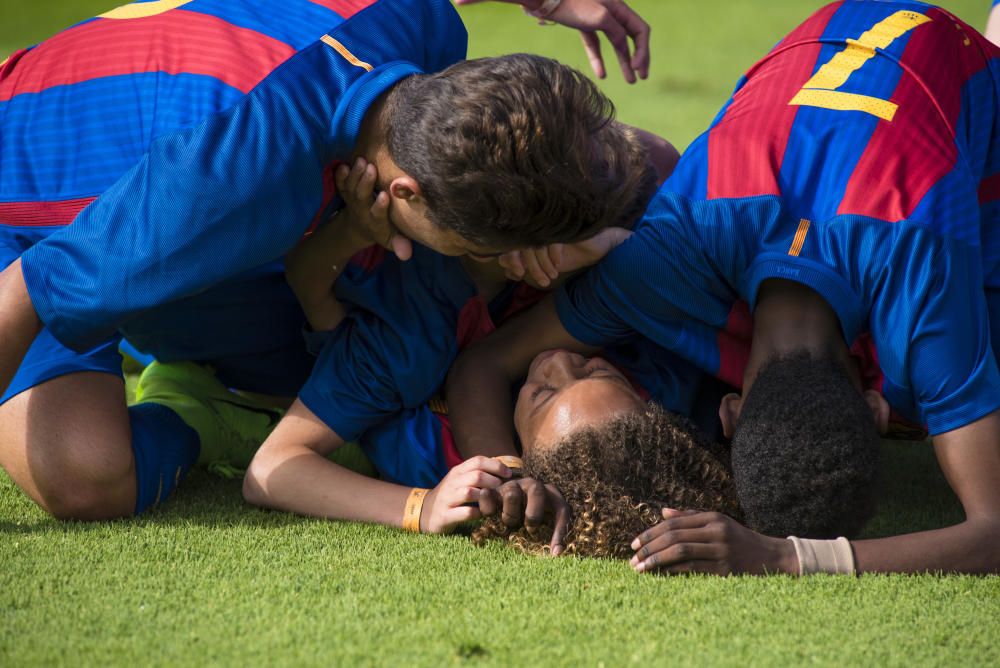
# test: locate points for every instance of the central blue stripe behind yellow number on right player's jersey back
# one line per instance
(809, 188)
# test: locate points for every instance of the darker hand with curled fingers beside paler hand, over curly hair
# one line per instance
(529, 502)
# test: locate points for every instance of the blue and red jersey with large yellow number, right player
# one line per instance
(861, 157)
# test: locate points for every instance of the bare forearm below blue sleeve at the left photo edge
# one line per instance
(18, 321)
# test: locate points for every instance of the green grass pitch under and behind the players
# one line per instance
(206, 579)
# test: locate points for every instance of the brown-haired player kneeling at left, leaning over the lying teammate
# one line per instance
(197, 148)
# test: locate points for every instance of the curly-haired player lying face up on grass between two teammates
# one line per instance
(388, 335)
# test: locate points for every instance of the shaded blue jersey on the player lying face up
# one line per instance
(406, 323)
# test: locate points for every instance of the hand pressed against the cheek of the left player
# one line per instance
(367, 212)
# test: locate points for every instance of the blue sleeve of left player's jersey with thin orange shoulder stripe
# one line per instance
(236, 190)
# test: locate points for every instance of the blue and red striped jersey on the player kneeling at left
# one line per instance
(189, 141)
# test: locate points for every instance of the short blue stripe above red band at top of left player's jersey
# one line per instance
(297, 23)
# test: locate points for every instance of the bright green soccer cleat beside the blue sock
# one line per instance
(230, 426)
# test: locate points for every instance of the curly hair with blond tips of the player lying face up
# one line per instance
(618, 477)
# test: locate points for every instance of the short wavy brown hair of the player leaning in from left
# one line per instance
(517, 151)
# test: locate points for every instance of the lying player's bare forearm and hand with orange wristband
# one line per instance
(291, 472)
